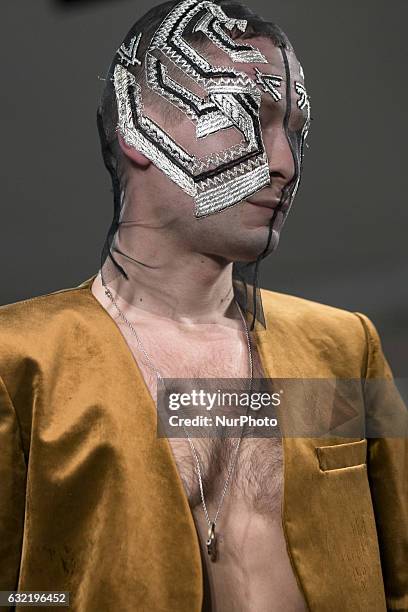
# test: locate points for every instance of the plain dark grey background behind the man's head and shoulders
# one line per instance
(344, 242)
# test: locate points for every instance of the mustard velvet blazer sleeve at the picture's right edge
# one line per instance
(387, 466)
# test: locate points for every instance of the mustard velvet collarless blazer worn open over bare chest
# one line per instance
(91, 501)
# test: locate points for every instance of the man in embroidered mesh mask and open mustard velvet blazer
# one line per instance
(202, 122)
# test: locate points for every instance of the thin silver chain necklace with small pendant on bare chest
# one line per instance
(211, 541)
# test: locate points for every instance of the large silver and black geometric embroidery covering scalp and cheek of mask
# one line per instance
(231, 100)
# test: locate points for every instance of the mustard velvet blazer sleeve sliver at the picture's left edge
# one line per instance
(12, 493)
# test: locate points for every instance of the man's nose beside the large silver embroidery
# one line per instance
(280, 156)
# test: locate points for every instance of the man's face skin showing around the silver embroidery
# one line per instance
(252, 226)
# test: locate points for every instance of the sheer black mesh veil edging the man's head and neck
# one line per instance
(115, 263)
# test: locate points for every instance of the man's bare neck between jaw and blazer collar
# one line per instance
(167, 282)
